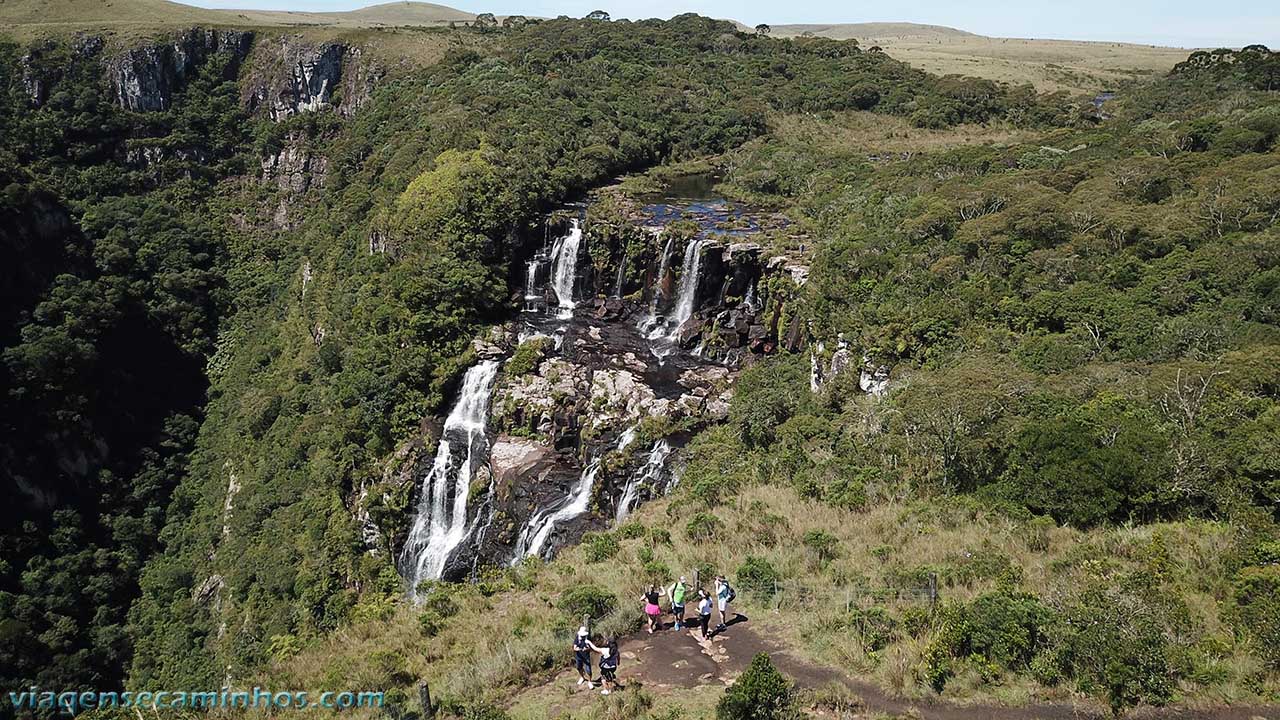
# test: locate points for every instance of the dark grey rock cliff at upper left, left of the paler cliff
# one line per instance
(147, 79)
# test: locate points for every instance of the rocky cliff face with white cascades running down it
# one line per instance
(630, 343)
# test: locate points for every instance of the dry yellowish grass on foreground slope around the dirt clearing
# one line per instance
(504, 649)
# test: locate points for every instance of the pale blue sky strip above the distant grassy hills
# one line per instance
(1185, 24)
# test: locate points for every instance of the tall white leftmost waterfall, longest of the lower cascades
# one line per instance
(441, 525)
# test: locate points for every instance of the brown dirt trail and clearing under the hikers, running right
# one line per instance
(670, 660)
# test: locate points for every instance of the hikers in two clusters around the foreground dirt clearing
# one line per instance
(679, 594)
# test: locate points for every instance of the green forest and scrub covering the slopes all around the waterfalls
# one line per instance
(1081, 307)
